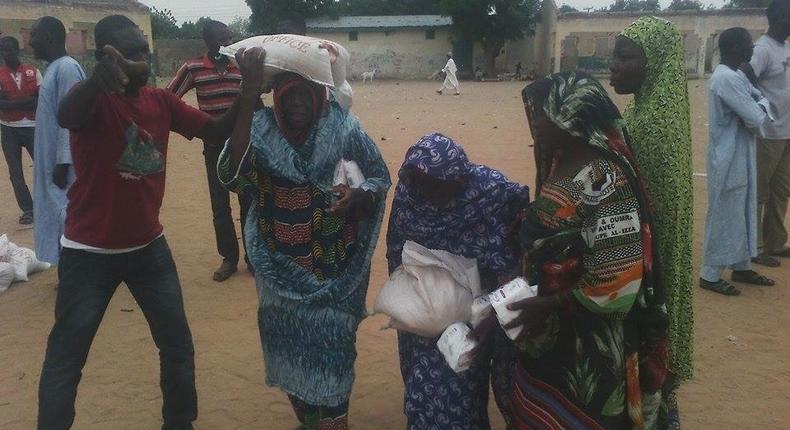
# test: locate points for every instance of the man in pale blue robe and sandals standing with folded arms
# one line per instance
(735, 119)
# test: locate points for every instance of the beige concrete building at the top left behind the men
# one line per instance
(78, 16)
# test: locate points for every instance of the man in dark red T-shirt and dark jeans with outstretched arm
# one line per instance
(120, 128)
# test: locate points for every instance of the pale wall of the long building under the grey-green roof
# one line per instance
(401, 54)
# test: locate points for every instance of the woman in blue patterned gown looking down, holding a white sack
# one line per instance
(443, 201)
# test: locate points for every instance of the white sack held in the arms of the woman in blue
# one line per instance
(430, 291)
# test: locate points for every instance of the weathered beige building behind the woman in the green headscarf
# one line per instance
(586, 41)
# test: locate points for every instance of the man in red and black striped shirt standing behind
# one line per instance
(216, 79)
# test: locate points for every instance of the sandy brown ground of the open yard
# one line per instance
(742, 371)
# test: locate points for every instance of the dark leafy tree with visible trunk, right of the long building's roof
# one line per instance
(492, 22)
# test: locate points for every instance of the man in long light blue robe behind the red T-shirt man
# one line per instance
(53, 174)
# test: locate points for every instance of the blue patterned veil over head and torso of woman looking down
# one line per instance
(475, 224)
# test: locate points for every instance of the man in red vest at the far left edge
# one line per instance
(19, 84)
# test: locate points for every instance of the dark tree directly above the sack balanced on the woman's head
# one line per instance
(266, 14)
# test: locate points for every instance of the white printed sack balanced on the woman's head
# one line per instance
(321, 61)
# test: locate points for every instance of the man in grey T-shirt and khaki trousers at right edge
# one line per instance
(768, 70)
